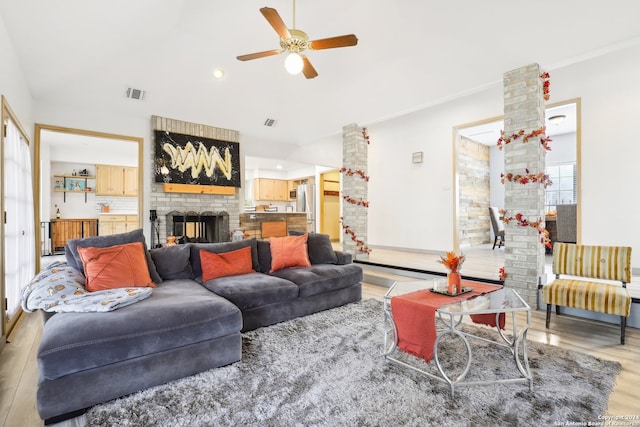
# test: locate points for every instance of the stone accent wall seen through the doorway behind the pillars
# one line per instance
(473, 178)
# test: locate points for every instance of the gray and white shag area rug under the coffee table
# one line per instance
(327, 369)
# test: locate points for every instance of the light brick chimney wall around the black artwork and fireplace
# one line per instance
(164, 203)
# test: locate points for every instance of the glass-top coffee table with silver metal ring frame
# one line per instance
(448, 324)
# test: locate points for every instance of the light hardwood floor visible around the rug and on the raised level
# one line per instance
(18, 366)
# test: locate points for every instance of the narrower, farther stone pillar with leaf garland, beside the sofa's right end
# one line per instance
(354, 157)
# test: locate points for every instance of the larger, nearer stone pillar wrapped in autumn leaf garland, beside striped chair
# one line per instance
(524, 109)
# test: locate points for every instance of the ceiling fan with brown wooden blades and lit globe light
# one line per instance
(294, 41)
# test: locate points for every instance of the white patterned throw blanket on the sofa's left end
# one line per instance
(60, 288)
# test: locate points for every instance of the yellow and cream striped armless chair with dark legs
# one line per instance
(584, 263)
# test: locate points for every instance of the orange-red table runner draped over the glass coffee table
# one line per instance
(414, 315)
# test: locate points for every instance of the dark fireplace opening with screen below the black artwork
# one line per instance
(194, 227)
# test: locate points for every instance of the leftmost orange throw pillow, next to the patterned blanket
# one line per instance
(120, 266)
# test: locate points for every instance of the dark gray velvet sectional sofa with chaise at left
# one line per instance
(185, 326)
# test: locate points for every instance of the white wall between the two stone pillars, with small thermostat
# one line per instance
(411, 205)
